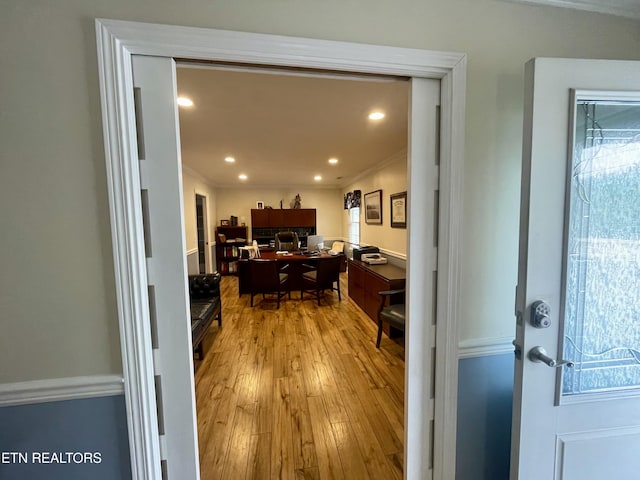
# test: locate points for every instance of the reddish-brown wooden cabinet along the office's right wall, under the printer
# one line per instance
(365, 281)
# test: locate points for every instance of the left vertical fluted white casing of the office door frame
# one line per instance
(123, 180)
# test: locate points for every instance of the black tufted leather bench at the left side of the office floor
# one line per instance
(204, 297)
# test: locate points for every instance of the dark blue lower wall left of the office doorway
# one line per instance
(88, 425)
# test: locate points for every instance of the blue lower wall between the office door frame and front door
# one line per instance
(485, 388)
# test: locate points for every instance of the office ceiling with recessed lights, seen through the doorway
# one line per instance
(282, 127)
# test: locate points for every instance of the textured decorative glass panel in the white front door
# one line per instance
(602, 271)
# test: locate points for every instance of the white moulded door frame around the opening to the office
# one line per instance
(117, 41)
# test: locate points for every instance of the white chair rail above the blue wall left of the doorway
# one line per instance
(58, 389)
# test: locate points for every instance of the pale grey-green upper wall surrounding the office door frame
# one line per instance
(57, 295)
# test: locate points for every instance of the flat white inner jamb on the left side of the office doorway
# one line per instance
(154, 80)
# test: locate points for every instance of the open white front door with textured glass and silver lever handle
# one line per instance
(580, 256)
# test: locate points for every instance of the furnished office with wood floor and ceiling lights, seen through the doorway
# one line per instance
(264, 143)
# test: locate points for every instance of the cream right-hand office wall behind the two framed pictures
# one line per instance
(391, 178)
